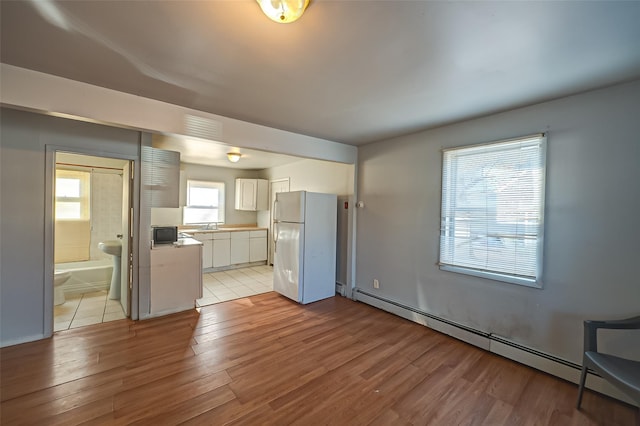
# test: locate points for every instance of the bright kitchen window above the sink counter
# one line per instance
(205, 202)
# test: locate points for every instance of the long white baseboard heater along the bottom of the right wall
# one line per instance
(494, 343)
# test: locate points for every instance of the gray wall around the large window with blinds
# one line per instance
(591, 247)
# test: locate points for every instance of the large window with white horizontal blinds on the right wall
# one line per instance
(492, 210)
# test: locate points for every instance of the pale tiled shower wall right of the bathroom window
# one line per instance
(106, 210)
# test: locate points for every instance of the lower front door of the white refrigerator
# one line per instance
(288, 265)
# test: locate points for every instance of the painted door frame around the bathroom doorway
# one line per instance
(49, 226)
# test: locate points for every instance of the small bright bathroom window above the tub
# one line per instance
(72, 195)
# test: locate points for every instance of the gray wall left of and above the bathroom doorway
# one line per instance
(23, 140)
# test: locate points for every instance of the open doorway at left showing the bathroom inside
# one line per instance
(92, 240)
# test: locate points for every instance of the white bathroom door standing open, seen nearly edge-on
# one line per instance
(126, 259)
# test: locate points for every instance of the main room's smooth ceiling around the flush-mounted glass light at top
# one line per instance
(348, 71)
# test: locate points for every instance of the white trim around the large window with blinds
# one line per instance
(497, 276)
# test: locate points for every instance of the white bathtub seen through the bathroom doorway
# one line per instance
(87, 276)
